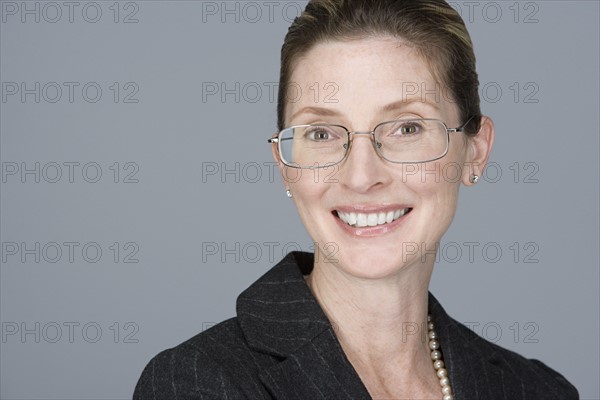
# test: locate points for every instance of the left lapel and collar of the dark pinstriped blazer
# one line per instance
(279, 316)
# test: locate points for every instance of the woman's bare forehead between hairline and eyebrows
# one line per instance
(363, 75)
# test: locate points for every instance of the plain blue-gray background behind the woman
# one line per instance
(166, 209)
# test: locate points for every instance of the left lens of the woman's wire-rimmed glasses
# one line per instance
(313, 146)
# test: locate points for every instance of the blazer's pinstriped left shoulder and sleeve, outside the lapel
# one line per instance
(216, 363)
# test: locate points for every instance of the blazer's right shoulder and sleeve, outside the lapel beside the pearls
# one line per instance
(518, 377)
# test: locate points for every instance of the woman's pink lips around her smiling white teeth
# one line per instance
(371, 231)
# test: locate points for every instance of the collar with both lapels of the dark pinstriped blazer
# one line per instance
(279, 316)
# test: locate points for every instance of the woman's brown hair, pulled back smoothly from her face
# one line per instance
(434, 28)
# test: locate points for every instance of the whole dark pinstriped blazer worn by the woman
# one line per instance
(282, 346)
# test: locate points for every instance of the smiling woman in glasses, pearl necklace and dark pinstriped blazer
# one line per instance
(356, 320)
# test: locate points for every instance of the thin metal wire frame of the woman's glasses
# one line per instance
(280, 140)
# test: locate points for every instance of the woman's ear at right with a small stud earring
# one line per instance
(478, 151)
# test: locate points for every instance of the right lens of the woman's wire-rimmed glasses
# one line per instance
(412, 141)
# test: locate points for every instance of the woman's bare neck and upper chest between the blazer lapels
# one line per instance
(380, 323)
